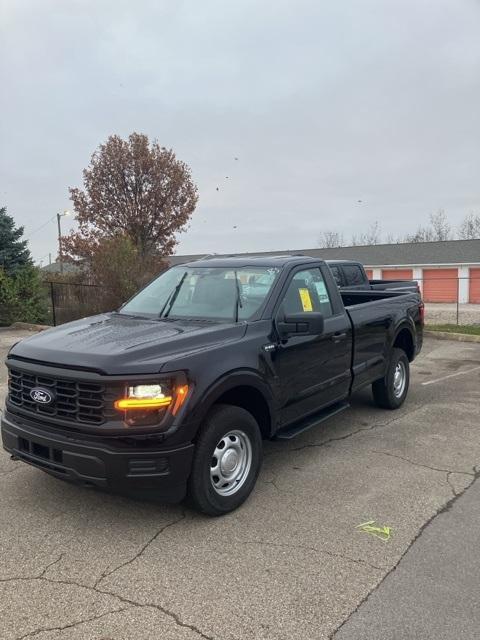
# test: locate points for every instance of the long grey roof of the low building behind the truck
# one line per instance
(408, 253)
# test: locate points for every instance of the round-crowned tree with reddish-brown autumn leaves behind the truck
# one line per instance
(133, 191)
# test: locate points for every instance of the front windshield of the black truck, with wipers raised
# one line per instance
(217, 293)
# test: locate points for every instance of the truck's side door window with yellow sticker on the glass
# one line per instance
(307, 292)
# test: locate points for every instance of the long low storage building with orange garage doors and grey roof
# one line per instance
(447, 271)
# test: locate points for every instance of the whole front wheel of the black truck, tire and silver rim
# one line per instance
(245, 441)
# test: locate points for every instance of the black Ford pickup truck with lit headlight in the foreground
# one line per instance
(173, 393)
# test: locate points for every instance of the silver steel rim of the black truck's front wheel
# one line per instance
(231, 463)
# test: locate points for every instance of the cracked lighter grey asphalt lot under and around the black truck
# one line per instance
(290, 564)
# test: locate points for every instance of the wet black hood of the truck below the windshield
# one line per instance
(116, 344)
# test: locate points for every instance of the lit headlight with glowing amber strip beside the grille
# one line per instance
(149, 404)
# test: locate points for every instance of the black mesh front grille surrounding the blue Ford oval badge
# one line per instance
(73, 401)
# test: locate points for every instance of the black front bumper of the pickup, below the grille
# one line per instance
(125, 468)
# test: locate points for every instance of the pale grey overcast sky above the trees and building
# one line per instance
(323, 103)
